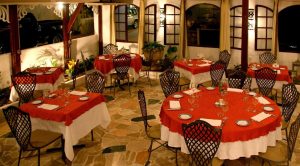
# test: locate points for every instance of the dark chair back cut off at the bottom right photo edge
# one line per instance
(292, 136)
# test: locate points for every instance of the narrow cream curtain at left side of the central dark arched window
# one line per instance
(182, 34)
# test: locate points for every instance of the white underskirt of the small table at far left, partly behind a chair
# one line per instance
(39, 86)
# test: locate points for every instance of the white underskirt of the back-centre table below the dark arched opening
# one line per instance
(195, 78)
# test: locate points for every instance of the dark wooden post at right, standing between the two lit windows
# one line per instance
(244, 52)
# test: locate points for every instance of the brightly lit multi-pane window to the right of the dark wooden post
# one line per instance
(263, 28)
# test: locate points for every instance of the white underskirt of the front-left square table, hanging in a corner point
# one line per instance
(80, 127)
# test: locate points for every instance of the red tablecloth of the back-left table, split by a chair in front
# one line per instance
(105, 65)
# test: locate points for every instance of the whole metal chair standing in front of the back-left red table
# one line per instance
(121, 64)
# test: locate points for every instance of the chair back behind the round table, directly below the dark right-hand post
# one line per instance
(237, 79)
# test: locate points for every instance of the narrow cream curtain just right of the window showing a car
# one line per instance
(141, 26)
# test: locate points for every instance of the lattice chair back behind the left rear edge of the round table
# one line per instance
(169, 81)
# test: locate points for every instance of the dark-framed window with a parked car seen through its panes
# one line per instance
(126, 21)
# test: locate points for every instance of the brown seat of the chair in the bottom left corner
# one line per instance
(41, 138)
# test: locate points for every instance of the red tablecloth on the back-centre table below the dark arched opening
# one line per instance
(194, 68)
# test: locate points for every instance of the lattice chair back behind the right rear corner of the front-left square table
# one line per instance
(95, 81)
